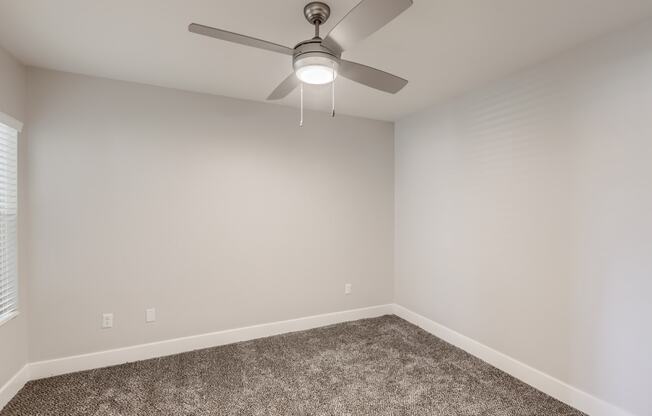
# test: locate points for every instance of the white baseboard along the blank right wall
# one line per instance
(561, 391)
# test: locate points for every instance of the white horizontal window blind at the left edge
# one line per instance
(8, 222)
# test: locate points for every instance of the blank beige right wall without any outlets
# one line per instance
(524, 217)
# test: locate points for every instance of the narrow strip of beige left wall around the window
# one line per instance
(13, 334)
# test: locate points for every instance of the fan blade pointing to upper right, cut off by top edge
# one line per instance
(363, 20)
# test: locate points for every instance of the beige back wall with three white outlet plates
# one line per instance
(220, 213)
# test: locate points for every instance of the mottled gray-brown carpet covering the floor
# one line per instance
(381, 366)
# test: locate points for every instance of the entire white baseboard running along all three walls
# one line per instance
(539, 380)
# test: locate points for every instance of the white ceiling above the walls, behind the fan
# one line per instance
(444, 47)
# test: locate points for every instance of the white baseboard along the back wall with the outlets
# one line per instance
(107, 358)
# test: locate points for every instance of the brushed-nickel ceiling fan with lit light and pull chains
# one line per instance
(319, 61)
